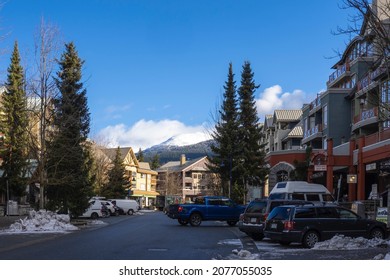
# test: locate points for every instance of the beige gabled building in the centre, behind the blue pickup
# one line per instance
(187, 178)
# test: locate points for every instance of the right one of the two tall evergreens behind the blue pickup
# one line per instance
(252, 163)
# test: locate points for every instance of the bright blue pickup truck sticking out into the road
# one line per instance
(206, 208)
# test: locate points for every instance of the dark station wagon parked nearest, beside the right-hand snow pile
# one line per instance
(311, 224)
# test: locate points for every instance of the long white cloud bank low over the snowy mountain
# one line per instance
(146, 133)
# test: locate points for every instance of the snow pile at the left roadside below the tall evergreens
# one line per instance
(42, 221)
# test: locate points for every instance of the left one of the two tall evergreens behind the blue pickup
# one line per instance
(225, 137)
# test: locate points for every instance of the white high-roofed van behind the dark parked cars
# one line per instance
(301, 190)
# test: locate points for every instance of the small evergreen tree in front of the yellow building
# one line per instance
(118, 182)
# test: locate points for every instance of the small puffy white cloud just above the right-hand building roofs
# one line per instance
(273, 98)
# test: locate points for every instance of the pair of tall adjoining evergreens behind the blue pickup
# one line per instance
(238, 155)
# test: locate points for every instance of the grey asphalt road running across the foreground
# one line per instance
(153, 236)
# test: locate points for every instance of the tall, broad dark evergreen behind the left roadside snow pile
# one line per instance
(68, 164)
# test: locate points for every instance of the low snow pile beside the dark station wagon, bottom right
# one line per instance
(340, 242)
